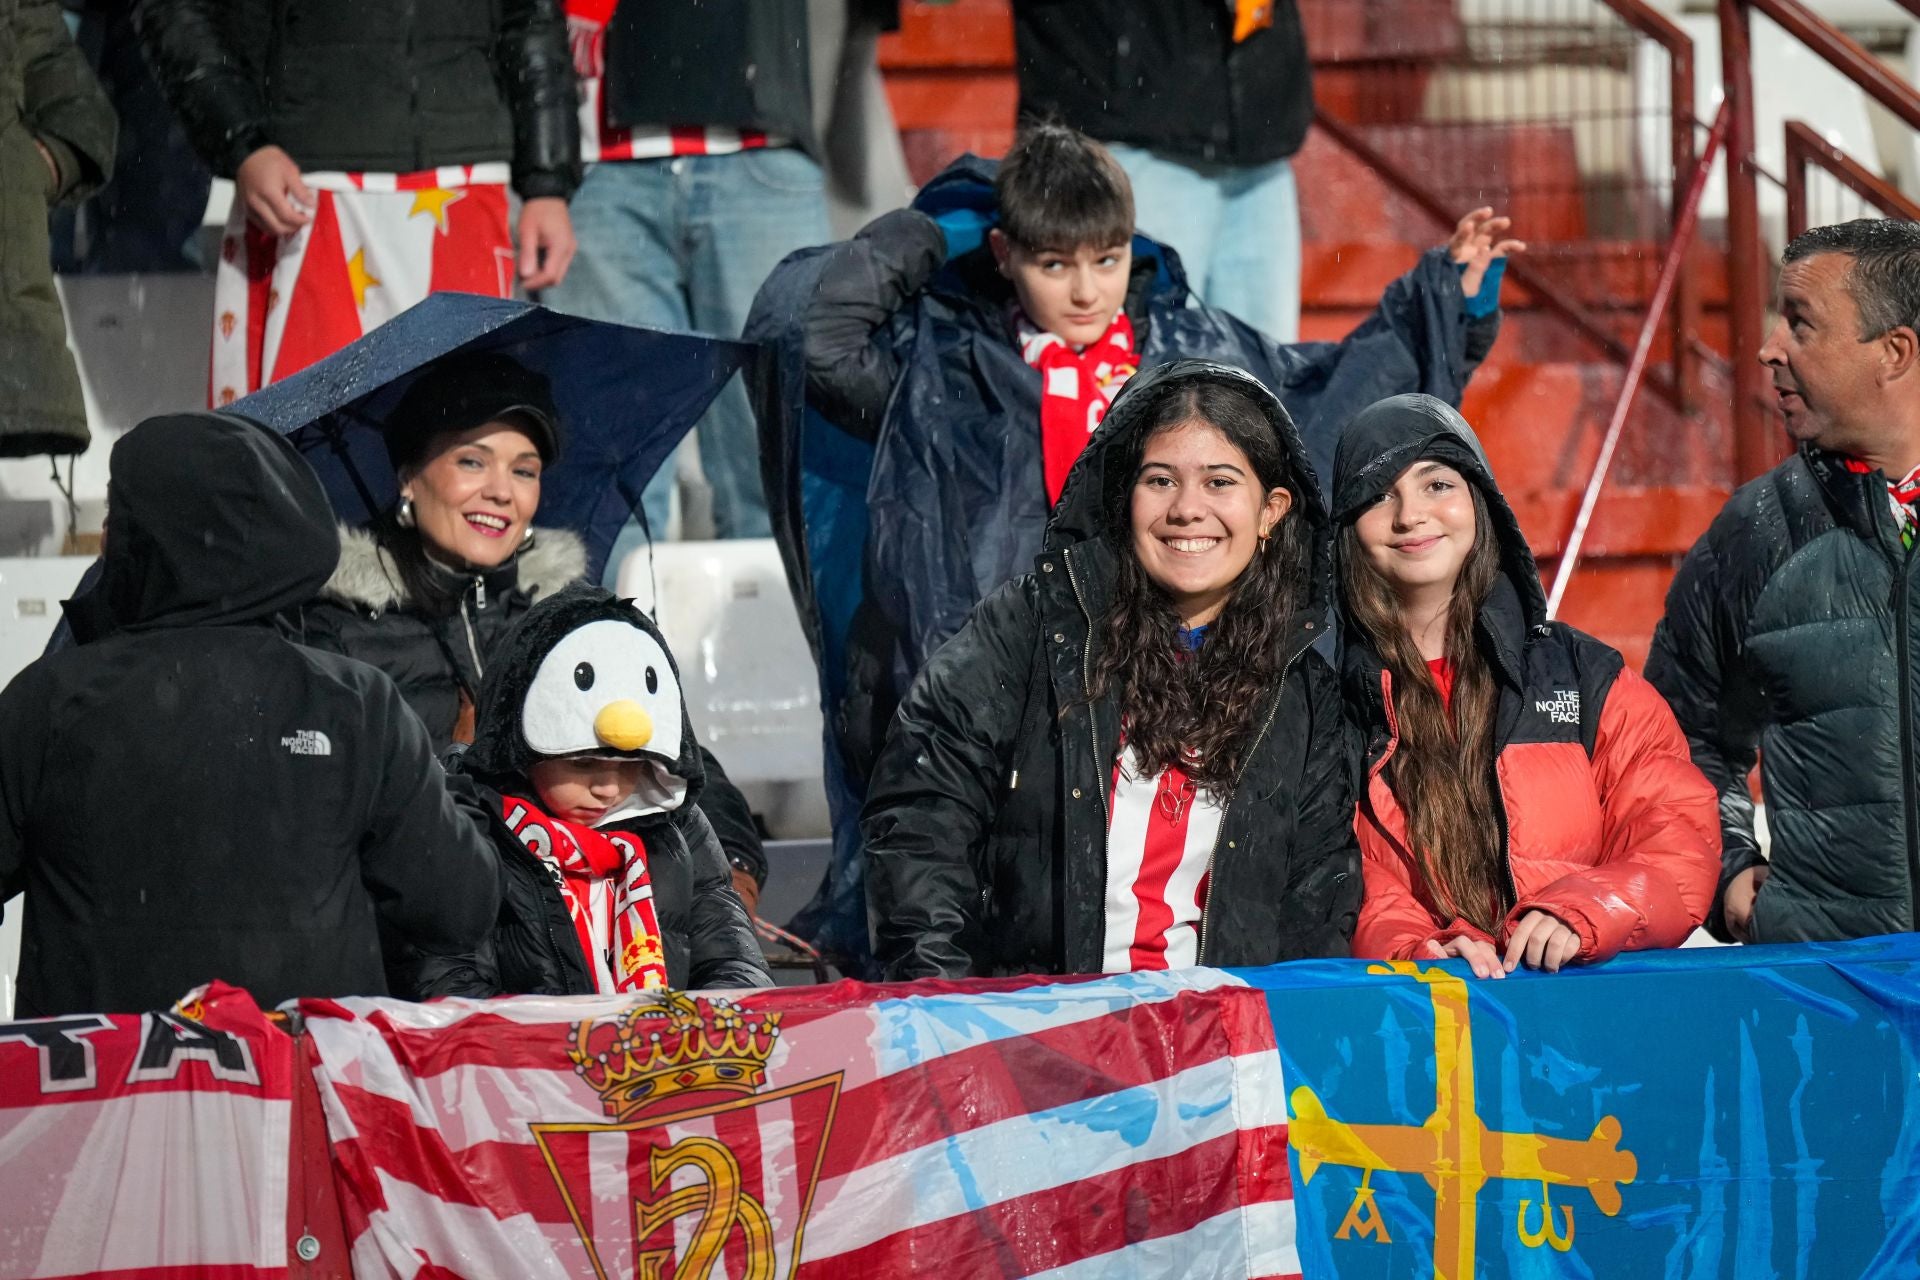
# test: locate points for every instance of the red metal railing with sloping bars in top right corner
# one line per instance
(1758, 442)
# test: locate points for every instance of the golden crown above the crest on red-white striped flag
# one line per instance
(681, 1045)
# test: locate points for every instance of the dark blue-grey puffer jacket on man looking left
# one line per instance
(1788, 632)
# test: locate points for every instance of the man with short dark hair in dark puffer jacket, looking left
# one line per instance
(1792, 627)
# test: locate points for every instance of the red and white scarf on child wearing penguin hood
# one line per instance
(608, 891)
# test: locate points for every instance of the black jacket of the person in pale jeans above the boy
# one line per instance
(1166, 76)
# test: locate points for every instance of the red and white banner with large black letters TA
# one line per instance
(147, 1147)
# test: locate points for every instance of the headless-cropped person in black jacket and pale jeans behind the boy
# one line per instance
(1203, 103)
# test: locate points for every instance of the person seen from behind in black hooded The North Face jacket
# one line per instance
(187, 795)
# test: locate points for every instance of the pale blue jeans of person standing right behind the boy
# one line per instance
(1236, 227)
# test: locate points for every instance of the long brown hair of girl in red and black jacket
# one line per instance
(1443, 770)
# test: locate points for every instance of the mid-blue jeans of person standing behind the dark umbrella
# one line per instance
(686, 243)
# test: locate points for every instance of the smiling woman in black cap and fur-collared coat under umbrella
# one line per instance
(431, 590)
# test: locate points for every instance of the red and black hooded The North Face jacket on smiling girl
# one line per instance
(1604, 820)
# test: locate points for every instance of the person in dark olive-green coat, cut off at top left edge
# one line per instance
(57, 145)
